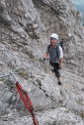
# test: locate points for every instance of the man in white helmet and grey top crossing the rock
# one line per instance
(55, 54)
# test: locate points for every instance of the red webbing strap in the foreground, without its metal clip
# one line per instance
(27, 101)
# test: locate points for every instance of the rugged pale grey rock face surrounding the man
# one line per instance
(25, 27)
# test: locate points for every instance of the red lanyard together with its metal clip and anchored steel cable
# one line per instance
(23, 95)
